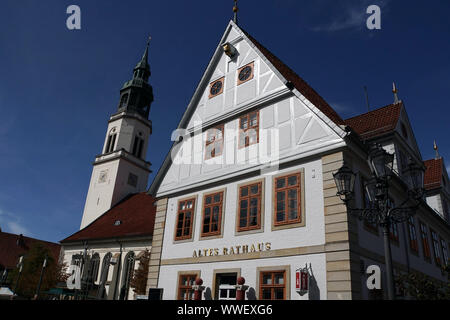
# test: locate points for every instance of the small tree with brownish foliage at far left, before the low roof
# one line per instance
(32, 265)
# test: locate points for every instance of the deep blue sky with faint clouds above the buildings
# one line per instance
(59, 87)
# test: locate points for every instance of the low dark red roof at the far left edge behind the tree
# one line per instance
(12, 246)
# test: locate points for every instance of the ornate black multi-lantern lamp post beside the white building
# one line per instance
(381, 211)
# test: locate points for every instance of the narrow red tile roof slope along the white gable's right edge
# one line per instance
(300, 84)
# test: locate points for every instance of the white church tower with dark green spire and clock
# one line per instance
(121, 168)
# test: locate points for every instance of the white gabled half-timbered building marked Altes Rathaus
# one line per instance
(248, 191)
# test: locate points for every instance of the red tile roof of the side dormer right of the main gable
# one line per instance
(376, 122)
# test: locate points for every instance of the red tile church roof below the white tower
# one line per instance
(136, 214)
